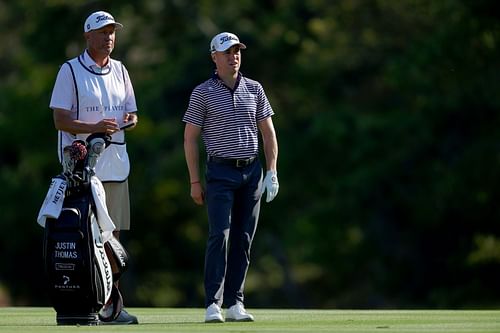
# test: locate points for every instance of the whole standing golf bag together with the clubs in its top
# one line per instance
(78, 269)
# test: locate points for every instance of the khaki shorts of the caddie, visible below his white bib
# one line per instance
(118, 202)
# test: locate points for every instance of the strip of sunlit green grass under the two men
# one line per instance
(39, 320)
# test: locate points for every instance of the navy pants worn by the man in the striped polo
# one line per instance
(233, 202)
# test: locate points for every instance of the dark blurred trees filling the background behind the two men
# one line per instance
(387, 114)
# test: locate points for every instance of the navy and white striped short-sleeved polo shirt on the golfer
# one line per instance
(228, 118)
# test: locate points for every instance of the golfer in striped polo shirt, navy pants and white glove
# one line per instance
(228, 111)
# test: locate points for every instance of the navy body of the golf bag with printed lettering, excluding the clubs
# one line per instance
(72, 252)
